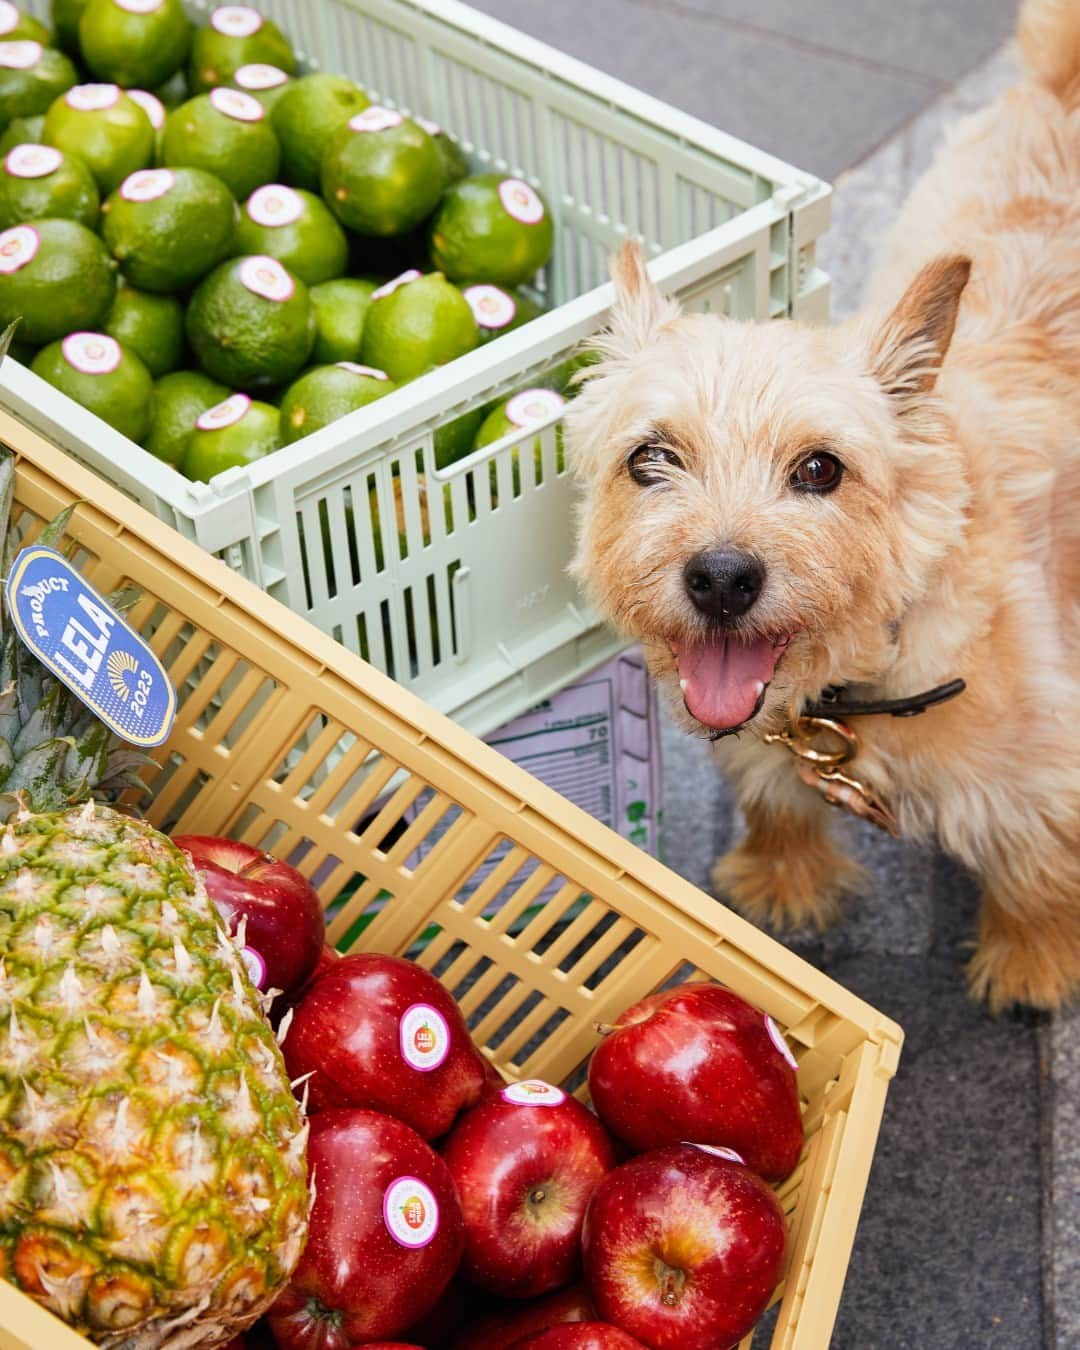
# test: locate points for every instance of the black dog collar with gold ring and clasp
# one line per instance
(823, 767)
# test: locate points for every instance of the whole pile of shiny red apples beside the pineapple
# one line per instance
(458, 1212)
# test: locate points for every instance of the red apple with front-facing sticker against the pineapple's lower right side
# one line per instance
(385, 1236)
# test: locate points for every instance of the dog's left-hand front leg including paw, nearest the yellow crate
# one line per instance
(788, 871)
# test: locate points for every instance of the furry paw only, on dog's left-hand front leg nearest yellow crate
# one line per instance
(788, 890)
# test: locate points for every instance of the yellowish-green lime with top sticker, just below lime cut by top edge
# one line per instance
(101, 125)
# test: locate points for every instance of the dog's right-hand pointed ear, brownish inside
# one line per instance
(908, 352)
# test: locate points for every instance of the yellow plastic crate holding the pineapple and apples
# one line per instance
(291, 743)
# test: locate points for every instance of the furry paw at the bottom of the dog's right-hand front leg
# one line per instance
(1023, 969)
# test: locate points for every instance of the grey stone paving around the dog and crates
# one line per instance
(971, 1232)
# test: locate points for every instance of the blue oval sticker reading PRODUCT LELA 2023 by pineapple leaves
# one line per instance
(75, 631)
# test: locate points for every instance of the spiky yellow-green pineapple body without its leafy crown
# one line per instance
(153, 1172)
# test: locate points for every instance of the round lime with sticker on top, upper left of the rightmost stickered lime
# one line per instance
(381, 173)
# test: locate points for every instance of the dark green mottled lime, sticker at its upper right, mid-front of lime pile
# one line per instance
(252, 325)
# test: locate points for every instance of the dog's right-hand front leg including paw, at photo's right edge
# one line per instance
(1029, 929)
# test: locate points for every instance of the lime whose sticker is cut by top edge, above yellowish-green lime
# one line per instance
(134, 43)
